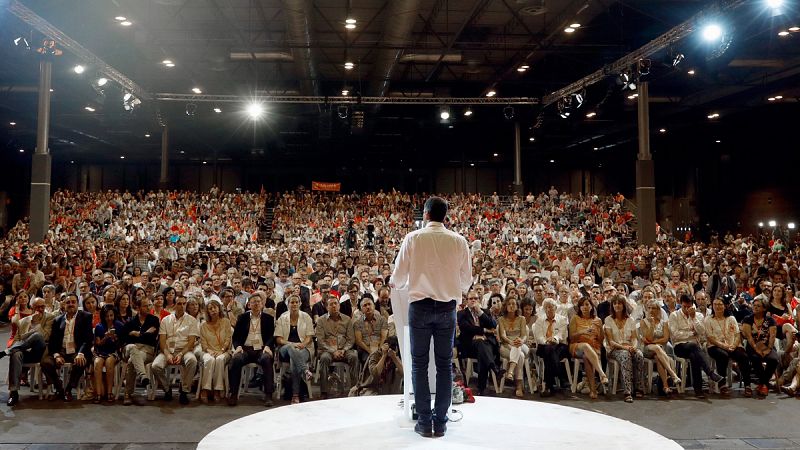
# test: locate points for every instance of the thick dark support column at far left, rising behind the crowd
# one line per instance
(40, 173)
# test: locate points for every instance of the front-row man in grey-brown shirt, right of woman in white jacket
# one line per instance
(335, 344)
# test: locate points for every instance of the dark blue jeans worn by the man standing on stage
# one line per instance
(431, 319)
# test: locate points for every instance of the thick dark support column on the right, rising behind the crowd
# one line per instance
(645, 173)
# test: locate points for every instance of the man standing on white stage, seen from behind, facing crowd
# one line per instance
(434, 264)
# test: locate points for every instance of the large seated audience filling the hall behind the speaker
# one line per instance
(129, 289)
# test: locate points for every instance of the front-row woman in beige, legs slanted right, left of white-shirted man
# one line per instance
(655, 339)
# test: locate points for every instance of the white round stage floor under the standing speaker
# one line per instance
(378, 422)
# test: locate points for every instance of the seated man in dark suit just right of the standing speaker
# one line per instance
(477, 339)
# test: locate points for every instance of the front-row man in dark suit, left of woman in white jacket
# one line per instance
(252, 343)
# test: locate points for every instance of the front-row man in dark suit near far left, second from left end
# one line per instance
(70, 342)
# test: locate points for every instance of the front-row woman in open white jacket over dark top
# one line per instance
(294, 331)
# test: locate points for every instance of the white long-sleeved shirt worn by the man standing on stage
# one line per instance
(433, 262)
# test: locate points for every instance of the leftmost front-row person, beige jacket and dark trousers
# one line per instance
(30, 342)
